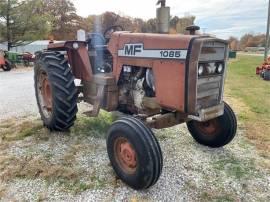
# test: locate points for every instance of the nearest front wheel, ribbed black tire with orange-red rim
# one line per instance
(134, 153)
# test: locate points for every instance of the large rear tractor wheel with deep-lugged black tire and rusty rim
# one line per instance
(55, 90)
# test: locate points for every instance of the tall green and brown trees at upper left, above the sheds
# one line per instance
(29, 20)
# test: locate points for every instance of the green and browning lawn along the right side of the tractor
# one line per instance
(252, 95)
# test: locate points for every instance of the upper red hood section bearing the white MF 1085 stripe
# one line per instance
(151, 46)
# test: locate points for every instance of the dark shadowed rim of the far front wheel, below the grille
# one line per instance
(209, 128)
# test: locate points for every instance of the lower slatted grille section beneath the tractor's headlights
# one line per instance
(209, 91)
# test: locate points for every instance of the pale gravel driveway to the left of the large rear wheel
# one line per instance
(17, 94)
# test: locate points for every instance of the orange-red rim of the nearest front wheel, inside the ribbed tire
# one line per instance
(125, 155)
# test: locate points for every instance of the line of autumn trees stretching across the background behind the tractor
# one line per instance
(29, 20)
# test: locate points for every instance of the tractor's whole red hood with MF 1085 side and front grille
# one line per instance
(175, 60)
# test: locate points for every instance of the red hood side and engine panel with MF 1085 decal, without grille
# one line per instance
(148, 51)
